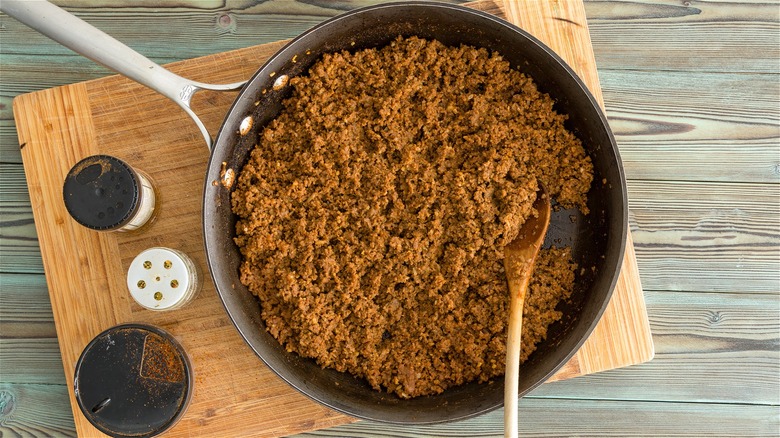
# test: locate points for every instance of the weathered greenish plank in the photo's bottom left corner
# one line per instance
(29, 410)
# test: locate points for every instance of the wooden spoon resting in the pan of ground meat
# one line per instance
(519, 257)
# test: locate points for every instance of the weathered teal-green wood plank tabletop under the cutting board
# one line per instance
(692, 92)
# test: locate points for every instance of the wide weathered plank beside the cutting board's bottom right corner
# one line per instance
(710, 348)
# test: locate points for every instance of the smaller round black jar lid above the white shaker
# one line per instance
(101, 192)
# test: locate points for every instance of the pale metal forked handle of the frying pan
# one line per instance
(81, 37)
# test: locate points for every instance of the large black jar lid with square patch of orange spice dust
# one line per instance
(133, 380)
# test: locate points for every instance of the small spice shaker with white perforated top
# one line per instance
(162, 279)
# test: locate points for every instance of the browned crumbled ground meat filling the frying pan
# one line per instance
(375, 208)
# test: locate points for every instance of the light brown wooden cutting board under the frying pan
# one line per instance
(235, 394)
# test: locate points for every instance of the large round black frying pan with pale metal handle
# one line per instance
(597, 240)
